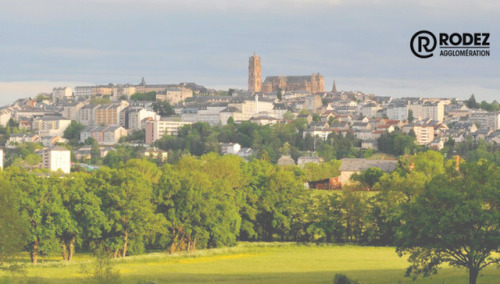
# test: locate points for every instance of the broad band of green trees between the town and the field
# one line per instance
(429, 207)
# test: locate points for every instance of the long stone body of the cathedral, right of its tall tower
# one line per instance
(314, 83)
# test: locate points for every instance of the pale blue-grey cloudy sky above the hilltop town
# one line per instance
(362, 45)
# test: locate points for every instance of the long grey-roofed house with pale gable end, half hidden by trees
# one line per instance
(351, 166)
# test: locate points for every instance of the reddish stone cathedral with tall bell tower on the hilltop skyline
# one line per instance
(312, 83)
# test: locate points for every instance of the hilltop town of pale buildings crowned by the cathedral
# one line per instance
(80, 127)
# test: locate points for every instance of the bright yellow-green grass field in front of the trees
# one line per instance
(255, 263)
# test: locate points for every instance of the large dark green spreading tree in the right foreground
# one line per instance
(454, 220)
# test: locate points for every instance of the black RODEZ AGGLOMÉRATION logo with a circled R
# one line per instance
(424, 43)
